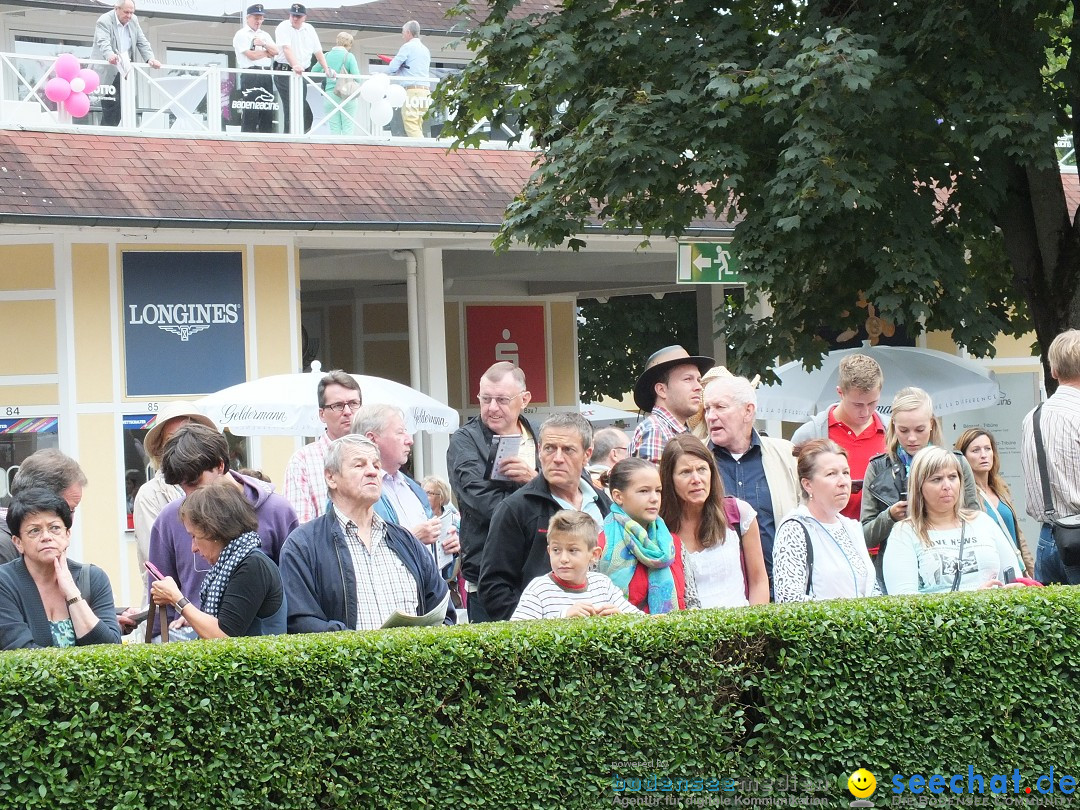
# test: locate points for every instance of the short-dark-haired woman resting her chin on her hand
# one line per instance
(46, 599)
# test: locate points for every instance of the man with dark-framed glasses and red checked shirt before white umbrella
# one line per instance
(340, 399)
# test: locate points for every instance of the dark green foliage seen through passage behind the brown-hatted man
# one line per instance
(616, 337)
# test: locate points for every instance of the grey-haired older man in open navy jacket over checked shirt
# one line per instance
(349, 570)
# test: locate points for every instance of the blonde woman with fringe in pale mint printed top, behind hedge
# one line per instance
(941, 546)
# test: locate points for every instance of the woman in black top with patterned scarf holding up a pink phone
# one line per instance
(241, 595)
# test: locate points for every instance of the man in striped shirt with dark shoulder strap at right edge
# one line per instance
(1060, 425)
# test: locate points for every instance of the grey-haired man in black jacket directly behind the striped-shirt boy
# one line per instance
(517, 548)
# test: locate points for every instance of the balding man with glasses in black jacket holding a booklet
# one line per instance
(479, 487)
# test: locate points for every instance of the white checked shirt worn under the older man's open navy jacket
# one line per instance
(384, 584)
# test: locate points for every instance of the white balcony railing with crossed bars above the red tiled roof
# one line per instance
(212, 101)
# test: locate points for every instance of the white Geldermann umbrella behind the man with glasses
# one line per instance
(287, 406)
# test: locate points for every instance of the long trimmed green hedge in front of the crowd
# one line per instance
(544, 715)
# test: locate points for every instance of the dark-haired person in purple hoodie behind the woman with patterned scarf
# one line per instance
(195, 457)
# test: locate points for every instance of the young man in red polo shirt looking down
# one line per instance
(853, 423)
